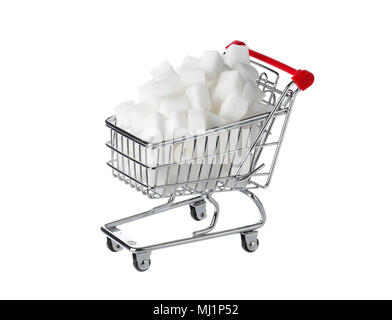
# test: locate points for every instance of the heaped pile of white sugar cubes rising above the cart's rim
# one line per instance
(206, 92)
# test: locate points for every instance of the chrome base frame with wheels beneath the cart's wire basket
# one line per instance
(116, 240)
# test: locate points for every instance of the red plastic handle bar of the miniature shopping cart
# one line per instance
(302, 78)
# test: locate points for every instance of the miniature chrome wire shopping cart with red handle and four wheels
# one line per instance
(221, 159)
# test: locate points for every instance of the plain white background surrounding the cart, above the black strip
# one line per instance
(64, 66)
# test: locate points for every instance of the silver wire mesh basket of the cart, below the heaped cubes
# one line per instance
(217, 160)
